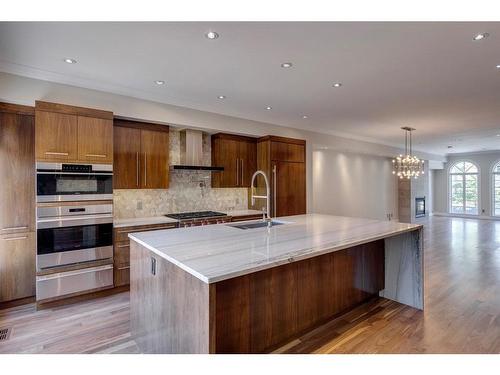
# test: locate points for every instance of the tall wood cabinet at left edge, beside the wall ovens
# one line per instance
(17, 202)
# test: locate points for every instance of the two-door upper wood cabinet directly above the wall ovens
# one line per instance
(73, 134)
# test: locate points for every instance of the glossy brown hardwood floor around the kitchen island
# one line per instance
(462, 309)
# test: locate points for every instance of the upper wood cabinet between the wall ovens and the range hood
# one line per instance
(140, 155)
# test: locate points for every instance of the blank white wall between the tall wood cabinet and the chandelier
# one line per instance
(349, 184)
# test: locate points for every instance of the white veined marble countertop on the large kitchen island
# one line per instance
(214, 253)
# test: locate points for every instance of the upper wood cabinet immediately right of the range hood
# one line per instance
(238, 156)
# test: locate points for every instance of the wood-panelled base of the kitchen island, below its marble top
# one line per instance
(173, 311)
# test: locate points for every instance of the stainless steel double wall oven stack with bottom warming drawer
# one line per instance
(74, 229)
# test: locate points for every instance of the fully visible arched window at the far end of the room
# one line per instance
(464, 188)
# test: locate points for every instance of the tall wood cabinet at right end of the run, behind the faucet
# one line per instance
(284, 162)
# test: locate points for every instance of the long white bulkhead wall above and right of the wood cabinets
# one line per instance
(23, 90)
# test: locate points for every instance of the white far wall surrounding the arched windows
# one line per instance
(485, 162)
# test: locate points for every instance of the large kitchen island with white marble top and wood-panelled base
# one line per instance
(223, 289)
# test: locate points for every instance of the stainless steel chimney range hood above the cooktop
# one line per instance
(191, 157)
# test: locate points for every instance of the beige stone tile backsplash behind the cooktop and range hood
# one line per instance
(188, 191)
